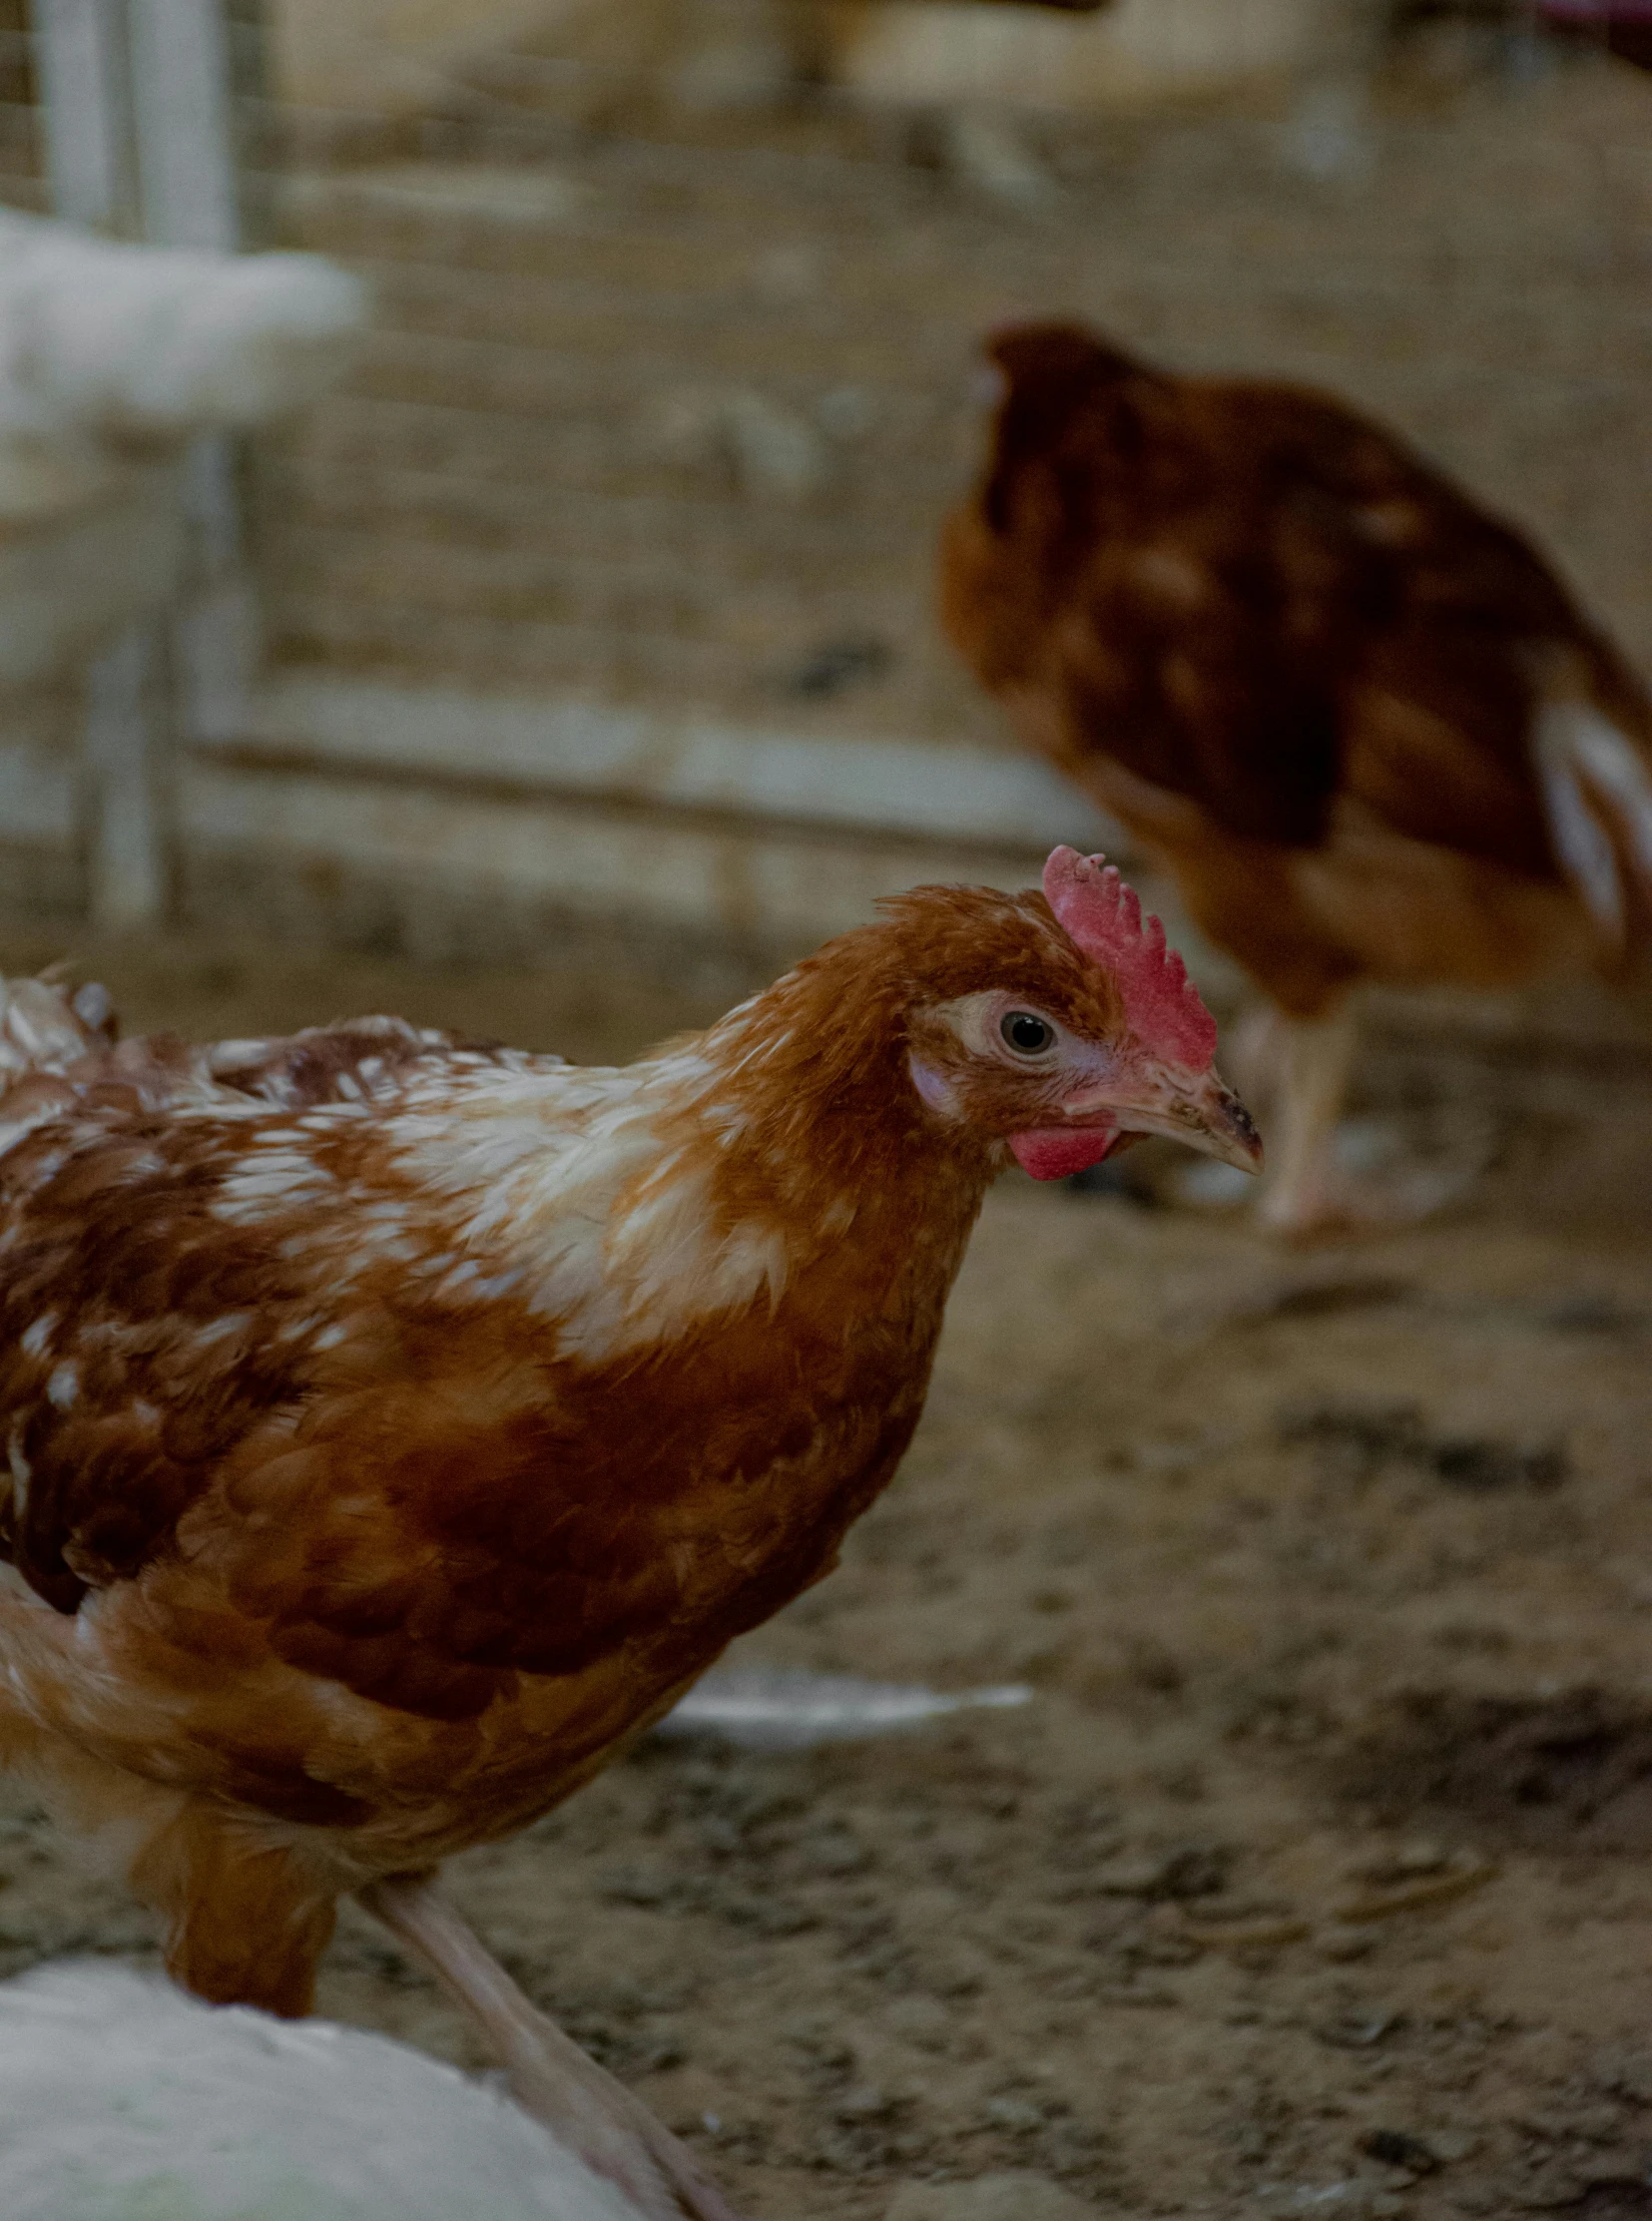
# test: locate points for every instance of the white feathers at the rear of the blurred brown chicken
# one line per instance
(1598, 792)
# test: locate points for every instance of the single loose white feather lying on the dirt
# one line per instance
(780, 1709)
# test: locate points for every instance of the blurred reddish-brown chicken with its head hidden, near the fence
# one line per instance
(1360, 718)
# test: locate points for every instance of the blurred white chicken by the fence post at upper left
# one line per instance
(112, 359)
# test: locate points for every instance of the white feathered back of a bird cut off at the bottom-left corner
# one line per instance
(123, 2100)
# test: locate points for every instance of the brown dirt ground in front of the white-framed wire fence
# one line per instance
(1313, 1878)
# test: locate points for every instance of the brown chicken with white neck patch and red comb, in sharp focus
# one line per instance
(399, 1425)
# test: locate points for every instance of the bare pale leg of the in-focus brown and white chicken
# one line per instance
(547, 2071)
